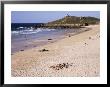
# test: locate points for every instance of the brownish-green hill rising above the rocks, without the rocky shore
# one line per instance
(75, 20)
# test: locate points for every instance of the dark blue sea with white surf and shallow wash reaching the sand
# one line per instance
(25, 36)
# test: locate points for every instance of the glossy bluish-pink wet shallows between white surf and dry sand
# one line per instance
(28, 41)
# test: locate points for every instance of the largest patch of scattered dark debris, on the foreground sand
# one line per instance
(61, 66)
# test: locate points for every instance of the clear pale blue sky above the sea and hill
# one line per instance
(47, 16)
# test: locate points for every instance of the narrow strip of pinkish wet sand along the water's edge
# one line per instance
(39, 43)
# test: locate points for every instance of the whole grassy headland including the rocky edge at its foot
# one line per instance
(71, 22)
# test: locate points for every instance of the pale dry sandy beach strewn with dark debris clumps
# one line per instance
(73, 56)
